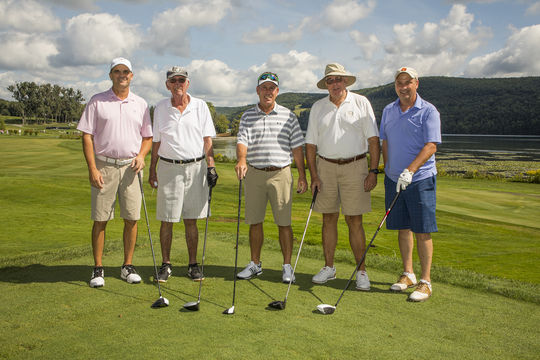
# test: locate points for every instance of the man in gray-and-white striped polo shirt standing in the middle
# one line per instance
(269, 137)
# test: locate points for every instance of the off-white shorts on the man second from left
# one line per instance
(182, 191)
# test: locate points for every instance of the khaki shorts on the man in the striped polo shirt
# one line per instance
(263, 186)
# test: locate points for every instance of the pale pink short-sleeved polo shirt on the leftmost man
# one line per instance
(118, 126)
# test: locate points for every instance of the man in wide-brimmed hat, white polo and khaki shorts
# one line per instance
(341, 130)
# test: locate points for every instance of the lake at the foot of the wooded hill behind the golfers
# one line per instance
(522, 148)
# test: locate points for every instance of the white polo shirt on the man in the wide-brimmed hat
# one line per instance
(341, 132)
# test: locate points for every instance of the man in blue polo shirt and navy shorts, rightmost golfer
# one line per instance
(410, 130)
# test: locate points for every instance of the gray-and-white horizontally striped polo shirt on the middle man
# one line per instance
(269, 137)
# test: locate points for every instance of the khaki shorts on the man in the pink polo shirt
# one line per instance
(120, 180)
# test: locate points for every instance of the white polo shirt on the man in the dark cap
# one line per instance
(182, 134)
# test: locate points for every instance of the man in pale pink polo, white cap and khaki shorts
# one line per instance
(117, 135)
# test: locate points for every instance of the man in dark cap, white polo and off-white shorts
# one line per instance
(183, 132)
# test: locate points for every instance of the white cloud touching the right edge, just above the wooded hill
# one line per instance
(518, 58)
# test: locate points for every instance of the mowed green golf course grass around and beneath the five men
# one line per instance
(488, 245)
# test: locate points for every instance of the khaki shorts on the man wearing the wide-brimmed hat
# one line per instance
(343, 185)
